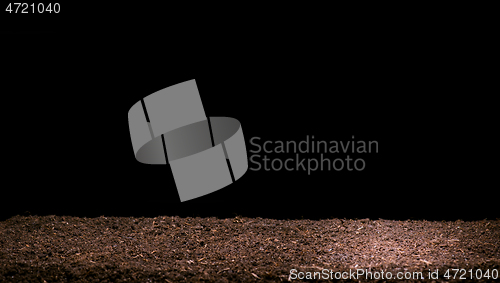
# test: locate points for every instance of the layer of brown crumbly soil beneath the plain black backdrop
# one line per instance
(174, 249)
